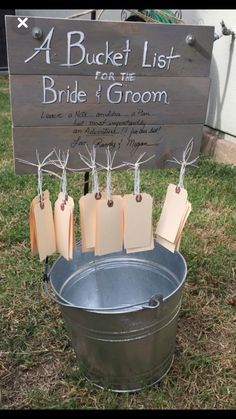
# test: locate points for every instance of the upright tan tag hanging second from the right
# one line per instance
(138, 223)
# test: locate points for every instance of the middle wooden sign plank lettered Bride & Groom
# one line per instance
(149, 100)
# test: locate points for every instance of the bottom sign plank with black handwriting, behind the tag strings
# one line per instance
(129, 142)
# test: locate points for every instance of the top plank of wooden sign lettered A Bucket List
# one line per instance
(134, 47)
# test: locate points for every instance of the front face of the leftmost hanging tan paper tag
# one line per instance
(44, 227)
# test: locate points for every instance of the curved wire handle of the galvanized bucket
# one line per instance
(153, 303)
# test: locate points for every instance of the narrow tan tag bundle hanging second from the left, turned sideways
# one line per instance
(64, 226)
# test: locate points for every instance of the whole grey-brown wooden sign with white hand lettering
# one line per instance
(131, 85)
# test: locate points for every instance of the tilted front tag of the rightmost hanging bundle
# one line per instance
(173, 211)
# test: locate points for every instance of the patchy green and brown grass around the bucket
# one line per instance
(38, 367)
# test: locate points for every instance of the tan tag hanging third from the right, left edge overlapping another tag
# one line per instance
(109, 226)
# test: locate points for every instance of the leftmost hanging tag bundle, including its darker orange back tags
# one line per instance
(42, 227)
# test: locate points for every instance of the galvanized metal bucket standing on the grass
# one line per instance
(121, 311)
